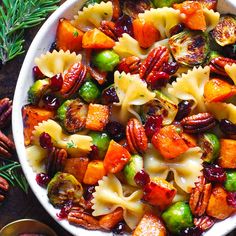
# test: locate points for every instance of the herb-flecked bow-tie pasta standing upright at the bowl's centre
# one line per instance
(132, 91)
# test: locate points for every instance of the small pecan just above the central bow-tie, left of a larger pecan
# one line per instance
(129, 65)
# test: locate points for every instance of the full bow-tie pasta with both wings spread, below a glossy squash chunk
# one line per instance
(186, 167)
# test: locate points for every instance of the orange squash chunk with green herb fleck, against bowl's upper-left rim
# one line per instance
(68, 37)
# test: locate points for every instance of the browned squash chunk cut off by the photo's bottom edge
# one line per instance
(150, 225)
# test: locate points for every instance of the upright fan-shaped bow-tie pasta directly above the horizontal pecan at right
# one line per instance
(190, 86)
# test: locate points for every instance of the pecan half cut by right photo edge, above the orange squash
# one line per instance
(217, 65)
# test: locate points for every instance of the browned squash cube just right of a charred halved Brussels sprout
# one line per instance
(98, 116)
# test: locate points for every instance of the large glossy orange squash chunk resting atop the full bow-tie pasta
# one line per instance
(169, 143)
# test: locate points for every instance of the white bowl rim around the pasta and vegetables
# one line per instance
(41, 44)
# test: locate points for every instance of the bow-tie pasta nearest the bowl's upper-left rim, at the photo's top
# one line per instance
(91, 17)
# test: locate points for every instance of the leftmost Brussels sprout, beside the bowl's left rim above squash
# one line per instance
(37, 90)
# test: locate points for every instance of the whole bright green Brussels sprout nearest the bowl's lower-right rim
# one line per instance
(178, 217)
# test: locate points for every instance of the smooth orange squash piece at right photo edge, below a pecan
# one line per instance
(217, 90)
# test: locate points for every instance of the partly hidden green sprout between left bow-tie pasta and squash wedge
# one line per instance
(101, 141)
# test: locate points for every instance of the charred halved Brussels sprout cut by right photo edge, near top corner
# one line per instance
(224, 32)
